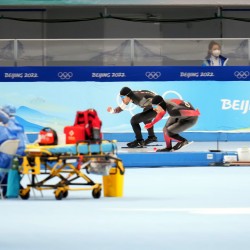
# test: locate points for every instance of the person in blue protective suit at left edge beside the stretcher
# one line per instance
(10, 129)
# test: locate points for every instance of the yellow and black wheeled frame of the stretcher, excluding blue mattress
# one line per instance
(56, 165)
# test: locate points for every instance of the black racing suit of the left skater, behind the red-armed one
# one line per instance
(143, 99)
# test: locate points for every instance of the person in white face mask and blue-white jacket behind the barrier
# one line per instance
(214, 57)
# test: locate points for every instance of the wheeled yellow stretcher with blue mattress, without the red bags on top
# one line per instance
(62, 168)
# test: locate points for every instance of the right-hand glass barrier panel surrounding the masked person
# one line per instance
(188, 52)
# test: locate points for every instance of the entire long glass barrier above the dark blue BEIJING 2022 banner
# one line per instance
(118, 52)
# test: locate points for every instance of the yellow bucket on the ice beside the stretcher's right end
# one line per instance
(113, 183)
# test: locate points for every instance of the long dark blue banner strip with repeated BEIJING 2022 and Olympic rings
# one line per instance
(124, 73)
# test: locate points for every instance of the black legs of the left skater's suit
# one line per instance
(146, 116)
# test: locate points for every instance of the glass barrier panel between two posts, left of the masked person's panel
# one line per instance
(75, 52)
